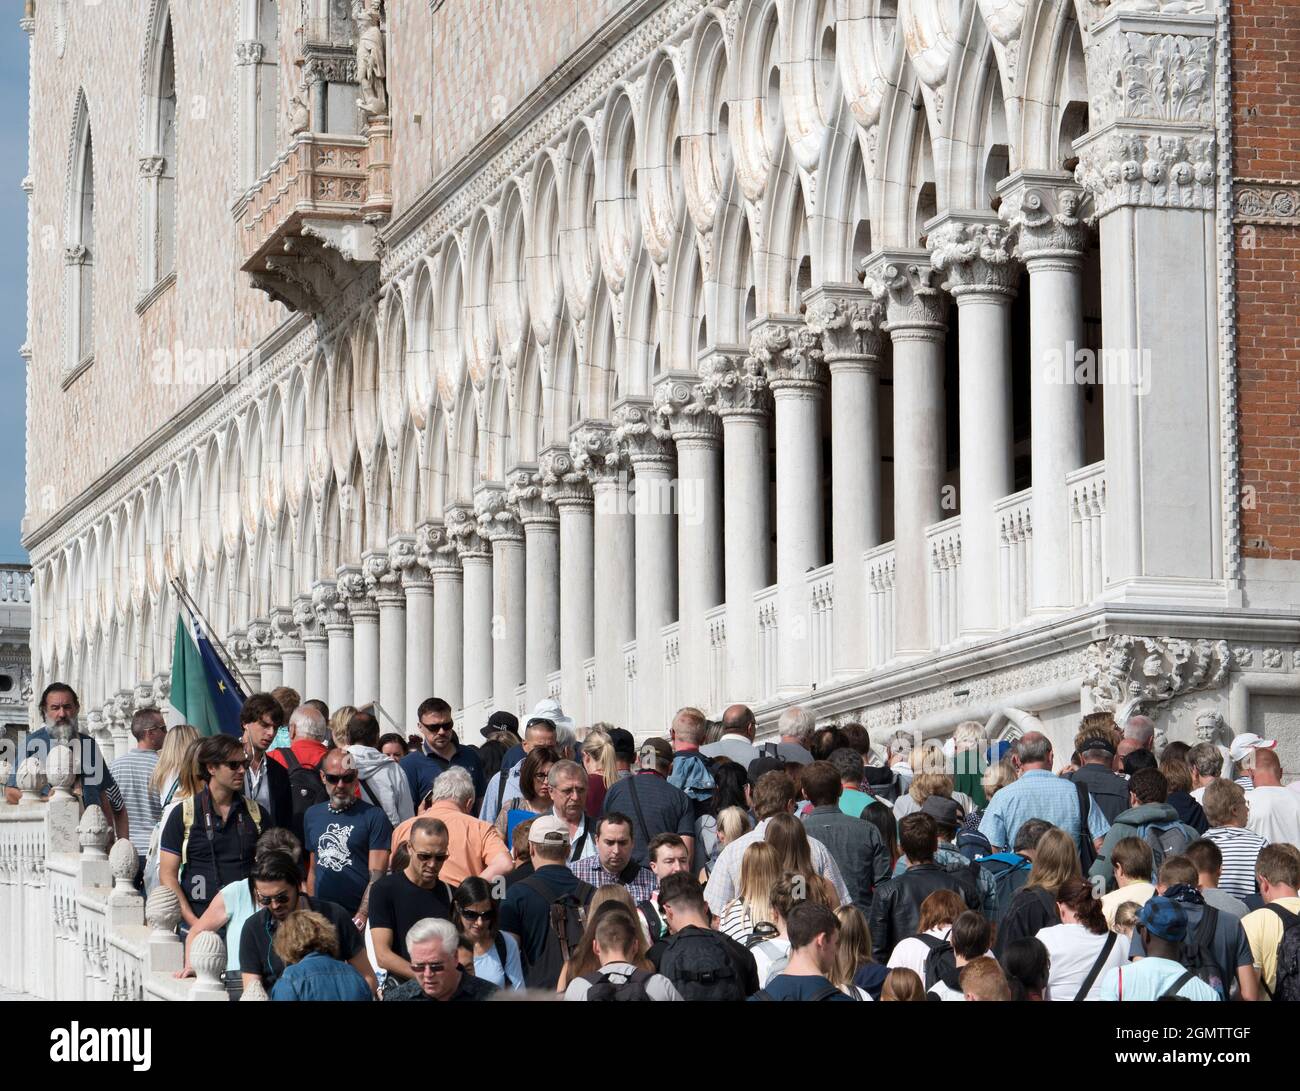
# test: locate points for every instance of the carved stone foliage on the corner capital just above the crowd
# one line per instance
(1137, 672)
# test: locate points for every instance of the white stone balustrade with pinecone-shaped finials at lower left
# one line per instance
(72, 927)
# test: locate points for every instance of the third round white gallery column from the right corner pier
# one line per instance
(916, 319)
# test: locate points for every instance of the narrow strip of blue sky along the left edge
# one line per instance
(14, 280)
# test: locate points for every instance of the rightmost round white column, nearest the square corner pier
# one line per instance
(1045, 207)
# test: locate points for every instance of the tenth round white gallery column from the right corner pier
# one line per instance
(567, 487)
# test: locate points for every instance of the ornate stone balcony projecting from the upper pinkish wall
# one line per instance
(309, 228)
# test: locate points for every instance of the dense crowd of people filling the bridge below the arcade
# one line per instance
(345, 864)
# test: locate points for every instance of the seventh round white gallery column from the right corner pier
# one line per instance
(683, 408)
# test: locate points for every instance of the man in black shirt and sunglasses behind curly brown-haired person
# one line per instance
(275, 886)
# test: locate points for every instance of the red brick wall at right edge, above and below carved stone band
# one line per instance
(1267, 122)
